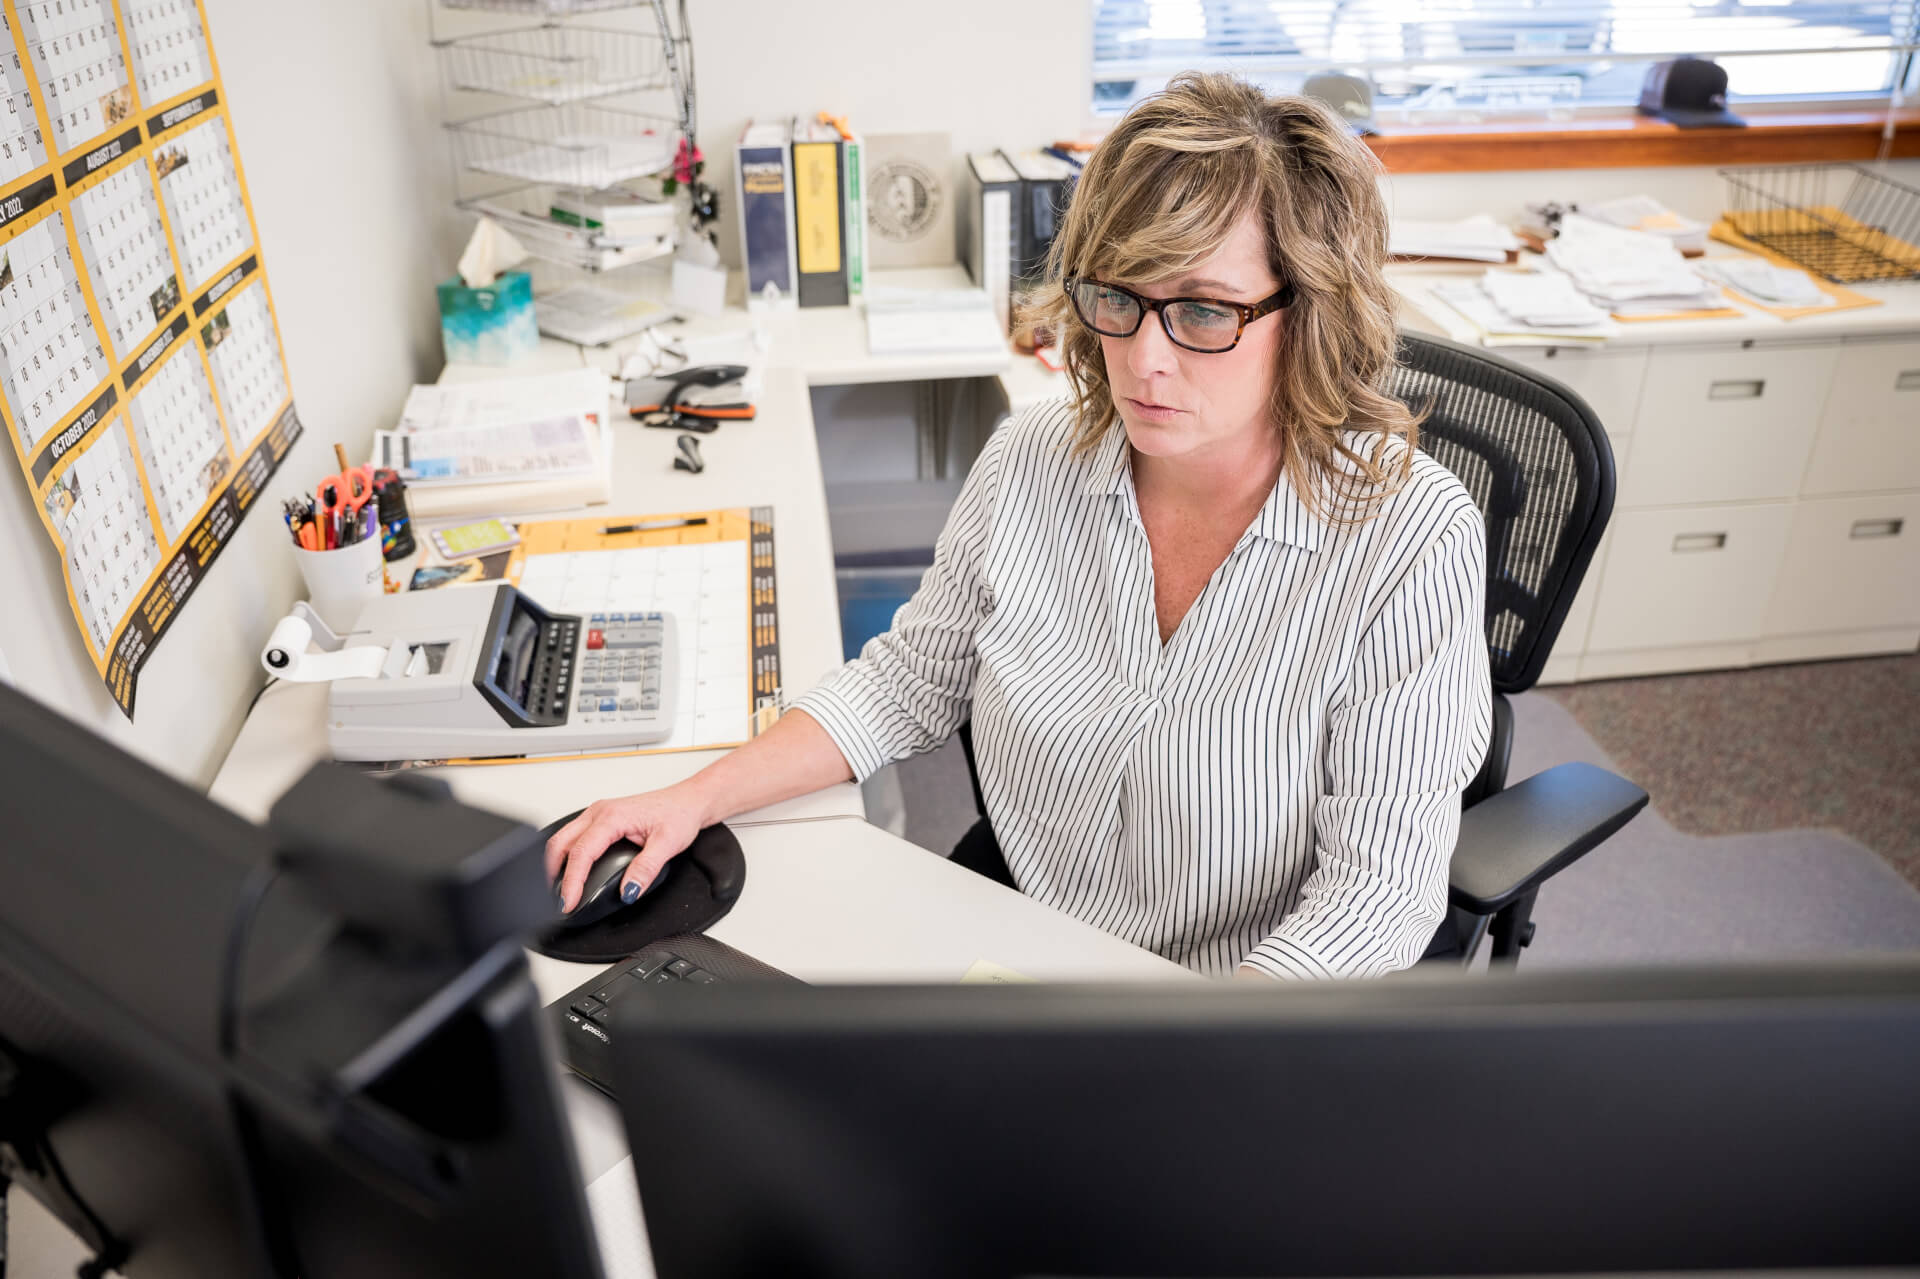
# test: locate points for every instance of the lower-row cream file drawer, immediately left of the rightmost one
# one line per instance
(1694, 577)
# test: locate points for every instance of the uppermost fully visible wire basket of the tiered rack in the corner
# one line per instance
(556, 62)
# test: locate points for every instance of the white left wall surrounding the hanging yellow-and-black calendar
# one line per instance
(335, 114)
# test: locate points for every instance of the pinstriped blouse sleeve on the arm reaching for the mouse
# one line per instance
(913, 687)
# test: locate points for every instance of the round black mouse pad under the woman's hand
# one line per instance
(702, 886)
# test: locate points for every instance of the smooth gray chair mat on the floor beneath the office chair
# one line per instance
(1650, 896)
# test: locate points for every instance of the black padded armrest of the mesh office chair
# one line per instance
(1514, 840)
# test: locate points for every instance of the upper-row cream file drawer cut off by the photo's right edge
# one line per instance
(1871, 431)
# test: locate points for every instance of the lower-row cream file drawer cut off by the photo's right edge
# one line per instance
(1852, 564)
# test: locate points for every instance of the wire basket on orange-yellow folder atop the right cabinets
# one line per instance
(1846, 224)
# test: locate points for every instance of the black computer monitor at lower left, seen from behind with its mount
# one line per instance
(308, 1050)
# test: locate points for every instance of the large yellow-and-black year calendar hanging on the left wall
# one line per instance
(141, 374)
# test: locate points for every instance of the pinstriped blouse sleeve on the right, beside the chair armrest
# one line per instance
(1404, 738)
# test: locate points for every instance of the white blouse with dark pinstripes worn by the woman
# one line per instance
(1278, 784)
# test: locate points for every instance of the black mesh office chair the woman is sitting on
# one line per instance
(1541, 470)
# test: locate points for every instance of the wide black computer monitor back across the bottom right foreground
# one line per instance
(1460, 1126)
